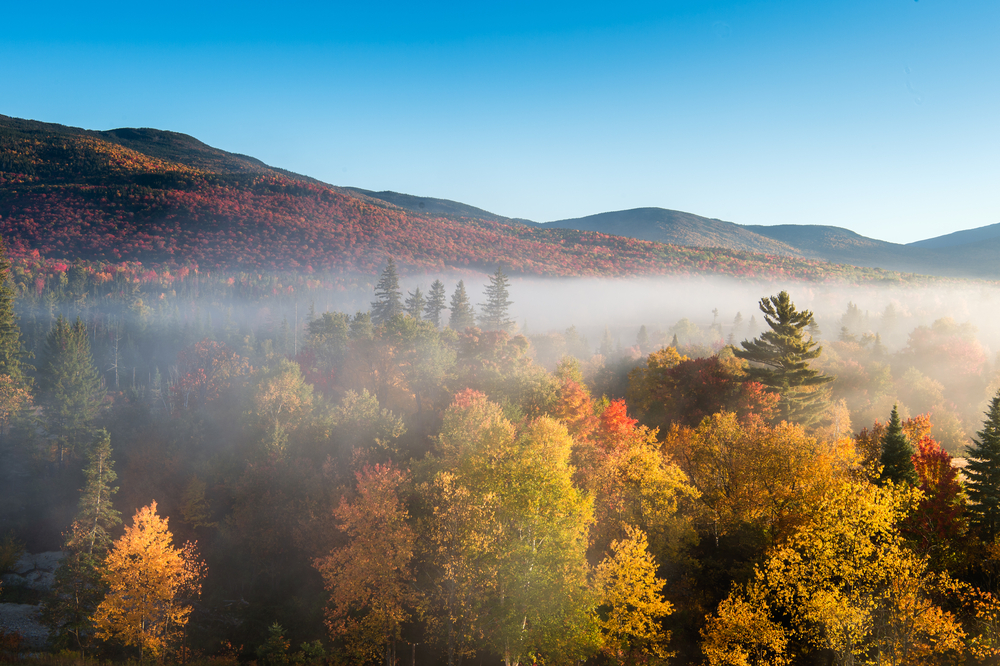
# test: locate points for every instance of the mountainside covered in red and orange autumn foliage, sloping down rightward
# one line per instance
(162, 198)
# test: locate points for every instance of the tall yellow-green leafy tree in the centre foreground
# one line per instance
(526, 546)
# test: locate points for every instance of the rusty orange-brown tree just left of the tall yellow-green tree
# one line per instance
(370, 578)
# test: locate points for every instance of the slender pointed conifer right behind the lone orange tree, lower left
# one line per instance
(77, 589)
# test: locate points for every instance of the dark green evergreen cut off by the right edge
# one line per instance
(983, 473)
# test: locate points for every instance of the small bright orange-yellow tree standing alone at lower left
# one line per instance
(148, 580)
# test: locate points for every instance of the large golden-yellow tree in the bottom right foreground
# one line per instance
(847, 584)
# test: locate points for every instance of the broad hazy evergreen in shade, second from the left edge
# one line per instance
(71, 387)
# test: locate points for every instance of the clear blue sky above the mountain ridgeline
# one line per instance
(881, 116)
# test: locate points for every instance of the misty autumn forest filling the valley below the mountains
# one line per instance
(234, 475)
